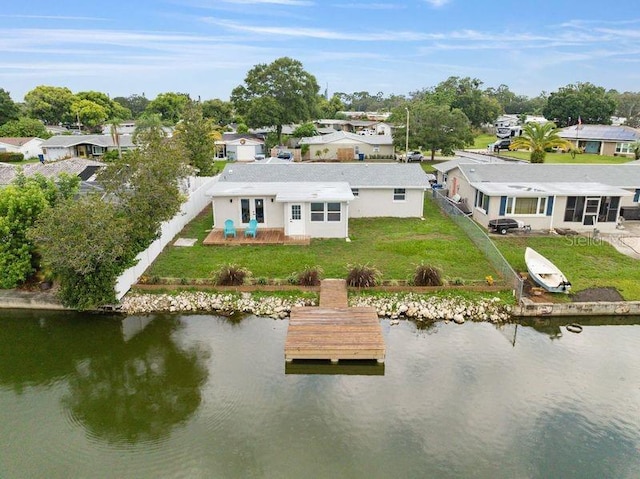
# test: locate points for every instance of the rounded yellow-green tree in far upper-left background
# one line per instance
(50, 104)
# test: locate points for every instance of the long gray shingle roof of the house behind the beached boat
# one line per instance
(622, 176)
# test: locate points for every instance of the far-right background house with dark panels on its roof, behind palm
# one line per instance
(602, 139)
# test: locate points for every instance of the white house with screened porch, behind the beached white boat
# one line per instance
(579, 197)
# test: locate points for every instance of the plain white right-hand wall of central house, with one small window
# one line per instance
(379, 203)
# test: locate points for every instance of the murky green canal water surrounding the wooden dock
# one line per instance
(190, 396)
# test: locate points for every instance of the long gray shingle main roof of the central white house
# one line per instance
(358, 175)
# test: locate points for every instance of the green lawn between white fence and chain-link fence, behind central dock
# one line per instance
(393, 245)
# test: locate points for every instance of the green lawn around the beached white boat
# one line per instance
(587, 264)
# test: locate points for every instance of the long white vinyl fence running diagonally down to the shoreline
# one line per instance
(198, 199)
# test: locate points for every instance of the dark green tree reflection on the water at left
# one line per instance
(120, 392)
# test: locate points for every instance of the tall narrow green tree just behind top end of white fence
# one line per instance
(197, 136)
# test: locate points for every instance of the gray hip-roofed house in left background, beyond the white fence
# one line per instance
(83, 146)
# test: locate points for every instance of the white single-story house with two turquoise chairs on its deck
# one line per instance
(317, 199)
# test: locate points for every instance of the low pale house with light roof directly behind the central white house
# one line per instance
(345, 146)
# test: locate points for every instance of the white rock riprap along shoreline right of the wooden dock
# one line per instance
(434, 308)
